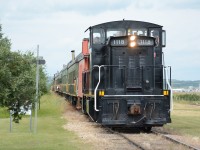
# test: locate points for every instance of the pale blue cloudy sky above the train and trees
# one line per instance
(58, 26)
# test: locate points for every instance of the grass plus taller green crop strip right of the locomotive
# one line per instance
(186, 115)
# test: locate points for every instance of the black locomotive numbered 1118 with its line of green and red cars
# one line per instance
(119, 79)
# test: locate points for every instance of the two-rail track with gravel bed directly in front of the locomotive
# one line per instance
(153, 140)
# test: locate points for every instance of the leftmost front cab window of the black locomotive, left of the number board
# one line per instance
(98, 36)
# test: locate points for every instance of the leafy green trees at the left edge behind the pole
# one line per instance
(17, 78)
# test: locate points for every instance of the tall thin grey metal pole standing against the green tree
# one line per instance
(36, 96)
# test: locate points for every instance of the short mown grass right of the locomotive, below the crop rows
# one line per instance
(185, 119)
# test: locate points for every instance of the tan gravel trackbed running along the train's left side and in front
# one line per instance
(100, 137)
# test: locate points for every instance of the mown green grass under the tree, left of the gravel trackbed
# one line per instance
(50, 134)
